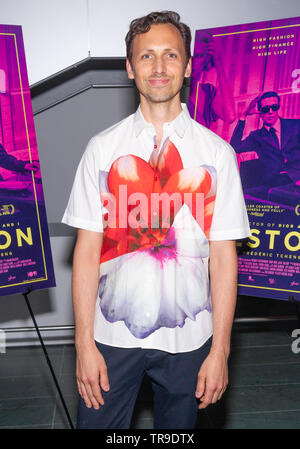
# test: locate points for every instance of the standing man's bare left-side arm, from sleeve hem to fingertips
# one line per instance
(91, 371)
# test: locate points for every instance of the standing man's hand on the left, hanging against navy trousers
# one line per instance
(91, 374)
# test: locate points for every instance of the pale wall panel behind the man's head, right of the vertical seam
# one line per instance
(116, 15)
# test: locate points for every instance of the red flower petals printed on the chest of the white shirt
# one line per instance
(161, 181)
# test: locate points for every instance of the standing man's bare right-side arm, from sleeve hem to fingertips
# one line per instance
(213, 374)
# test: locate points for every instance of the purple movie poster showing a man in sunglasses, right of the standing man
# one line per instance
(245, 86)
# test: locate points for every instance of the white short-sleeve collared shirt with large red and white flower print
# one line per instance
(158, 209)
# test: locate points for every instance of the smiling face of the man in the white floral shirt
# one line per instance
(158, 63)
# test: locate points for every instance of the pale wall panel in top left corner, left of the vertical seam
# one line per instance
(55, 33)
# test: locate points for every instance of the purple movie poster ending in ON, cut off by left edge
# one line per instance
(25, 254)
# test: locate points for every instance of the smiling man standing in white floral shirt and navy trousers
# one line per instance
(152, 313)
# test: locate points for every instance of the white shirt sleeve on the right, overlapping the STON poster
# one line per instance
(230, 218)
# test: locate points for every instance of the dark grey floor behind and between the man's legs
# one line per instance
(264, 390)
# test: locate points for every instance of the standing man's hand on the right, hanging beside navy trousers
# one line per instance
(212, 379)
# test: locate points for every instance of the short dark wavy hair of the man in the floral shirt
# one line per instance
(143, 25)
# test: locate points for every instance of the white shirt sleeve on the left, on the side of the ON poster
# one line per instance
(84, 207)
